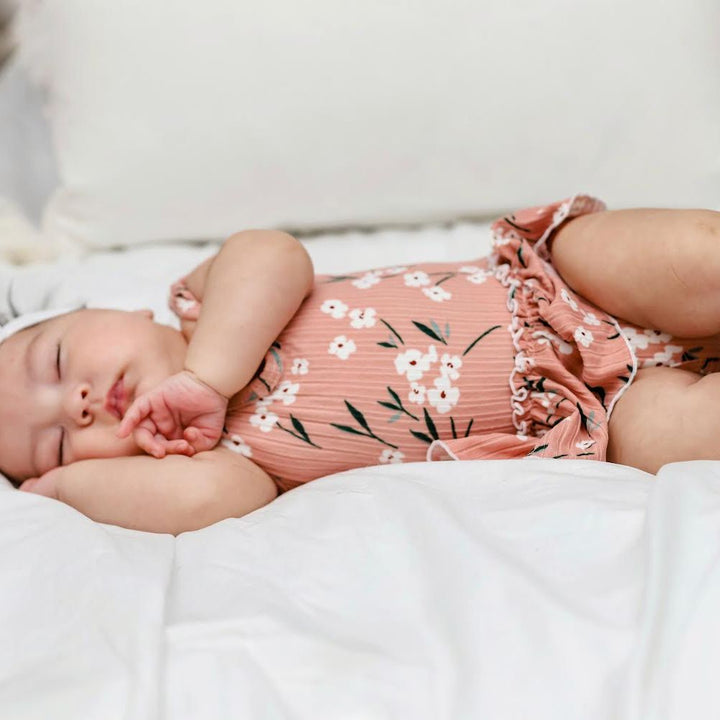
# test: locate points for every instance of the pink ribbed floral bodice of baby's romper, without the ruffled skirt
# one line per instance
(427, 359)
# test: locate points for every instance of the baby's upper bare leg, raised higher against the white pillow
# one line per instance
(656, 268)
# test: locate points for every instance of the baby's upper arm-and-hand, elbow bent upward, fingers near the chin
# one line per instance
(249, 291)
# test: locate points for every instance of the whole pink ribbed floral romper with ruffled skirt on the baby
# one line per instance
(490, 358)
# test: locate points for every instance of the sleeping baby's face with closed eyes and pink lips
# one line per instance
(65, 383)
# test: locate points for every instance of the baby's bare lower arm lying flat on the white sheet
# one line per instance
(172, 495)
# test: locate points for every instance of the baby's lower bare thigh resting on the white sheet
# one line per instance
(666, 415)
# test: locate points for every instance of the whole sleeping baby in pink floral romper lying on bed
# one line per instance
(586, 333)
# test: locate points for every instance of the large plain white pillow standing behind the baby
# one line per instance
(179, 119)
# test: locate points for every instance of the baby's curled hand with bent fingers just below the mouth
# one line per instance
(181, 415)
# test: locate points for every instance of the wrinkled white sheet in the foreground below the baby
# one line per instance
(506, 589)
